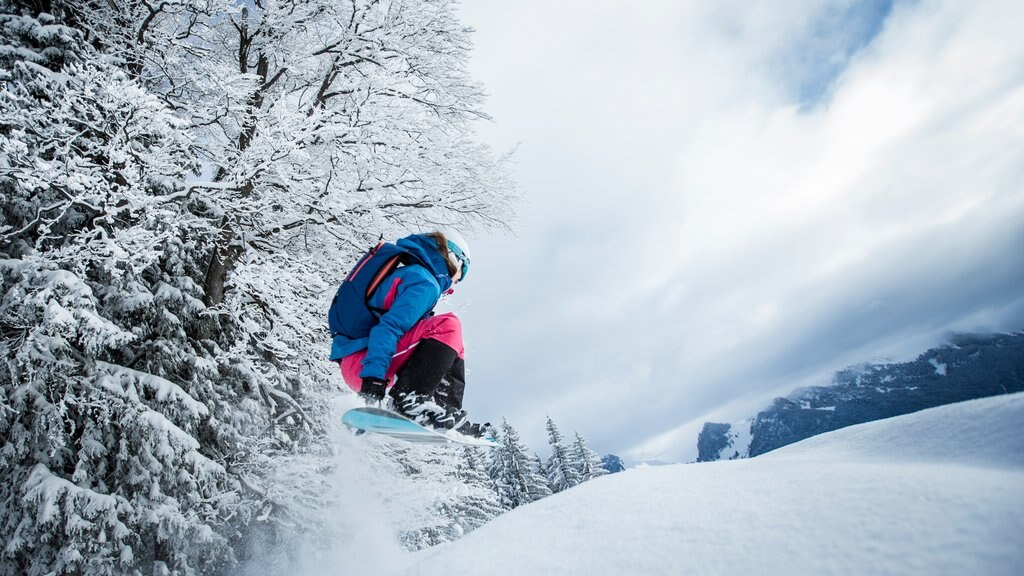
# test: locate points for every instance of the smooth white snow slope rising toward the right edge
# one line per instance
(936, 492)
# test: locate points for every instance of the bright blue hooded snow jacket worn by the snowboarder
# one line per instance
(409, 295)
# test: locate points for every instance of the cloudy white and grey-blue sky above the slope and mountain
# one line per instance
(728, 200)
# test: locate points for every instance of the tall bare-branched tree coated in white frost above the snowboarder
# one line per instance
(322, 125)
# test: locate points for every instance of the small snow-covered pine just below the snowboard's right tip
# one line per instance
(513, 472)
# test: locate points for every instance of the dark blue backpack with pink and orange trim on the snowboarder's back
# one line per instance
(351, 314)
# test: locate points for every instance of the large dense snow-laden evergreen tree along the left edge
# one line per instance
(103, 396)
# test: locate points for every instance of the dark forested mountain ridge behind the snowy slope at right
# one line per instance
(971, 366)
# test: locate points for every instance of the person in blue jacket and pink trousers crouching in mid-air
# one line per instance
(386, 335)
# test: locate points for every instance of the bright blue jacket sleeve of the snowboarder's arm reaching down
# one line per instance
(417, 295)
